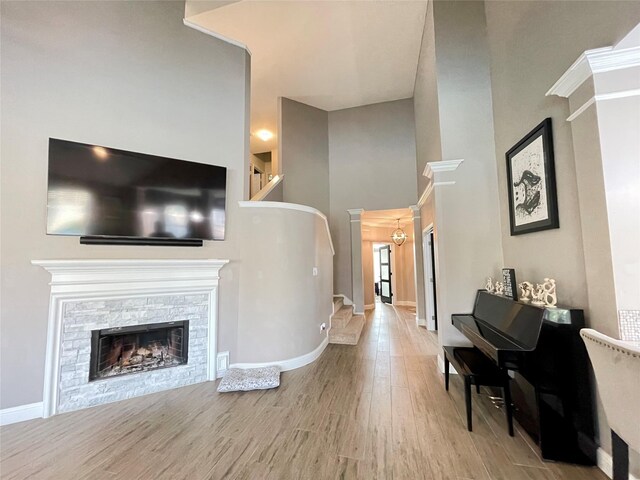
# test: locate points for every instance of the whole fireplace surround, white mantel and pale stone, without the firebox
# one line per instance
(90, 295)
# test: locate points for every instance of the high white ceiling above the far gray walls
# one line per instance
(328, 54)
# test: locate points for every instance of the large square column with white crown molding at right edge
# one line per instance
(603, 89)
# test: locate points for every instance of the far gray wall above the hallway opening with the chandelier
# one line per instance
(372, 159)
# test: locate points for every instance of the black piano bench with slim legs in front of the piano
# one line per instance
(478, 370)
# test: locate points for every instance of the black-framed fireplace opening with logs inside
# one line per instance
(140, 348)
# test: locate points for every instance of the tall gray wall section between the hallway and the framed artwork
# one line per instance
(468, 230)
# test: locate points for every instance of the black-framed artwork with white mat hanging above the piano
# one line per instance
(533, 204)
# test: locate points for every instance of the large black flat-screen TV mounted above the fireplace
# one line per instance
(100, 191)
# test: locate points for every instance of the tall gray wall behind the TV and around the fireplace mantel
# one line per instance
(122, 74)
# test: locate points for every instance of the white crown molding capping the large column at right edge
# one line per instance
(599, 60)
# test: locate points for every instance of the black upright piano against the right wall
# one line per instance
(550, 386)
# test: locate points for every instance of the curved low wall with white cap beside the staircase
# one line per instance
(282, 304)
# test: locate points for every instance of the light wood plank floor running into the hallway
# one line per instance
(375, 410)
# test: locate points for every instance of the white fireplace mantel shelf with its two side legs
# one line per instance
(95, 280)
